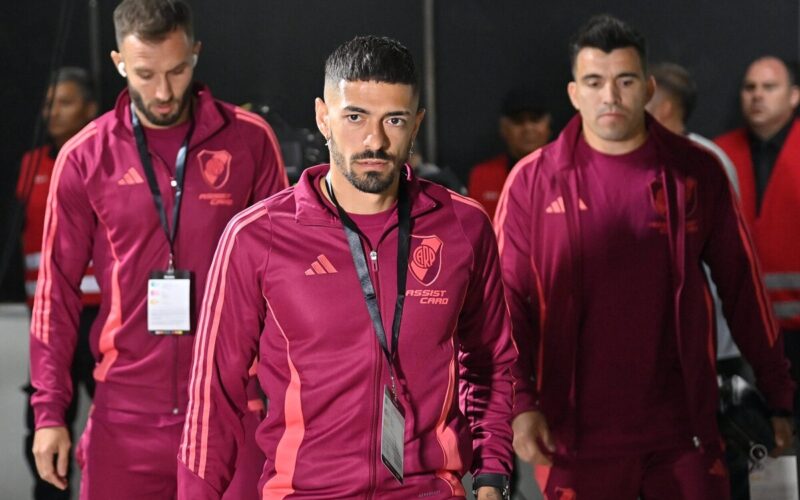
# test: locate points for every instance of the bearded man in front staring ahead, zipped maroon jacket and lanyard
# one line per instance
(373, 303)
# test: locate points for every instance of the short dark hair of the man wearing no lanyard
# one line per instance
(607, 33)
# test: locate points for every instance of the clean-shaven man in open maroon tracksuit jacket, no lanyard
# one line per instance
(602, 235)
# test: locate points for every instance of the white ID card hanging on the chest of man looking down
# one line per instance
(169, 303)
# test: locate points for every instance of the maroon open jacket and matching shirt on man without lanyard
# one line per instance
(547, 212)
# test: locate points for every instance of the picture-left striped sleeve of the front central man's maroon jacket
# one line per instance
(230, 324)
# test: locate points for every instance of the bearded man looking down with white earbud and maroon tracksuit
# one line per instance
(144, 191)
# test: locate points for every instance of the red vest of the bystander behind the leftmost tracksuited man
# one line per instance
(34, 177)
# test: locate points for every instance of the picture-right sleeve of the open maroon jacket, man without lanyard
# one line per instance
(731, 256)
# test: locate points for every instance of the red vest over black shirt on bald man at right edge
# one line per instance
(776, 228)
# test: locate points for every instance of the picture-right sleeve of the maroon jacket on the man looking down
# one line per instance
(270, 172)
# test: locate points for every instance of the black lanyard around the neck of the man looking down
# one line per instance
(180, 168)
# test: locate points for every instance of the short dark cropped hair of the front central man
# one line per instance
(372, 58)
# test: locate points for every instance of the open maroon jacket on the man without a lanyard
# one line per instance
(538, 258)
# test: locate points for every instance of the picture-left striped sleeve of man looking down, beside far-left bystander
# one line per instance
(67, 241)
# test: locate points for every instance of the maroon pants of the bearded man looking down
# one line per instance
(124, 459)
